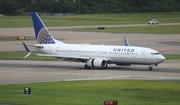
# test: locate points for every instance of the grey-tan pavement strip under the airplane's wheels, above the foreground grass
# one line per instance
(28, 71)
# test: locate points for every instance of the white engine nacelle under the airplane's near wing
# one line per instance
(97, 62)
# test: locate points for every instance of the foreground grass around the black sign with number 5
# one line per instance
(127, 92)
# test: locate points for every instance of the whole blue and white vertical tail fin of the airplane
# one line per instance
(41, 32)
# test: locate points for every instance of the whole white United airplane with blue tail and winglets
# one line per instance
(94, 56)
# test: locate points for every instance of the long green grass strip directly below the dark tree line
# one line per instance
(91, 19)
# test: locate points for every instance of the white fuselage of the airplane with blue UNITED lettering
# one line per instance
(120, 55)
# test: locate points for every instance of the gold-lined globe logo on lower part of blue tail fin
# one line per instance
(44, 37)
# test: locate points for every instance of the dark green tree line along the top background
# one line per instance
(15, 7)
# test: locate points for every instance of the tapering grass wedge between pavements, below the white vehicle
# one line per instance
(153, 29)
